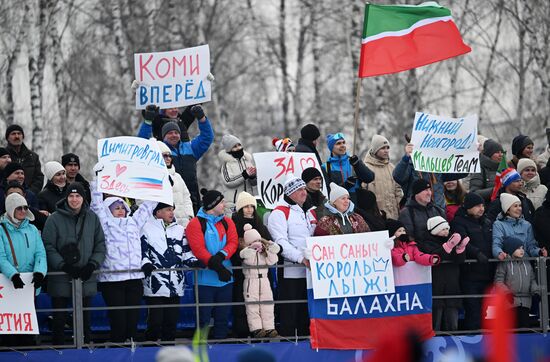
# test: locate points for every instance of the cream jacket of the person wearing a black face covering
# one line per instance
(233, 180)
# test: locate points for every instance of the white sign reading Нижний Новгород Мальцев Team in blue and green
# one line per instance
(445, 145)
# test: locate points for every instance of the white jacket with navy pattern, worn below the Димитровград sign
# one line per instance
(165, 247)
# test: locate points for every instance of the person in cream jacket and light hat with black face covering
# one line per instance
(238, 171)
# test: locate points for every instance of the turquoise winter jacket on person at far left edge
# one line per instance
(28, 247)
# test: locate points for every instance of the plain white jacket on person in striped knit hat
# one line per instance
(291, 234)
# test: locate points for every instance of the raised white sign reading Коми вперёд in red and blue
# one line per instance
(173, 79)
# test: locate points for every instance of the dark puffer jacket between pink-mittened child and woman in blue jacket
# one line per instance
(480, 232)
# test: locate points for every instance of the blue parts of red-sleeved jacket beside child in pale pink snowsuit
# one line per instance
(213, 245)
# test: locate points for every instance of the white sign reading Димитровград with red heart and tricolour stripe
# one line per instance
(133, 167)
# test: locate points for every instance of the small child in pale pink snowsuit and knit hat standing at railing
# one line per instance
(259, 252)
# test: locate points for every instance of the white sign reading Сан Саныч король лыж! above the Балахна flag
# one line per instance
(350, 265)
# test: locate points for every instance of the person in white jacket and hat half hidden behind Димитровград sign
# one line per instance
(182, 197)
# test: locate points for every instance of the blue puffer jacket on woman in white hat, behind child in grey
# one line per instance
(520, 228)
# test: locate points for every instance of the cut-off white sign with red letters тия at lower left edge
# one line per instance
(17, 313)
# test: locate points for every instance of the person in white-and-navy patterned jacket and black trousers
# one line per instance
(164, 246)
